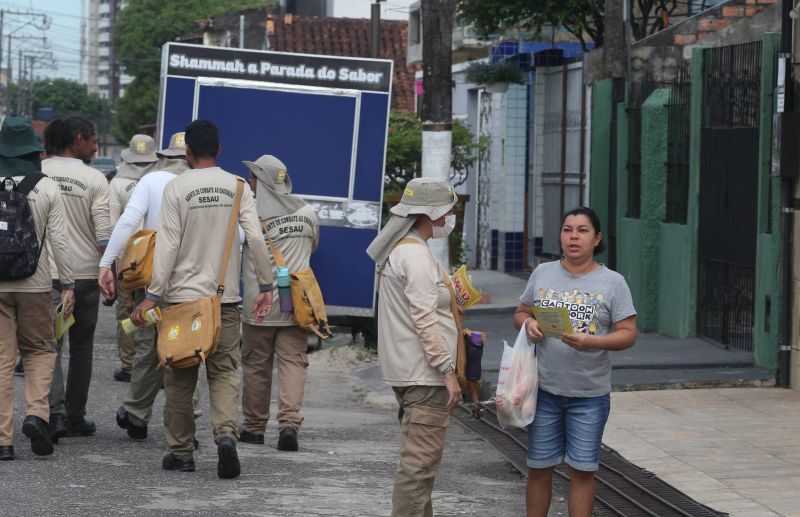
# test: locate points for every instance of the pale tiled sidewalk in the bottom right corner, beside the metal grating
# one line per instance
(735, 450)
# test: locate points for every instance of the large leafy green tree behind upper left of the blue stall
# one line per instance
(141, 29)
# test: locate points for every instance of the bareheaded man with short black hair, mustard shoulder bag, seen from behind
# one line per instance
(195, 211)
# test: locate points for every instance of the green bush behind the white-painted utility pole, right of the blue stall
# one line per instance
(404, 150)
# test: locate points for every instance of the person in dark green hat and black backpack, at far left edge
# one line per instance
(25, 317)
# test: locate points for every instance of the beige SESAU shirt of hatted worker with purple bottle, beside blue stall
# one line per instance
(296, 236)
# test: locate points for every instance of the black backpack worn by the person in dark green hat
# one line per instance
(19, 247)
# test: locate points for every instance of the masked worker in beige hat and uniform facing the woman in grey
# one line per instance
(417, 336)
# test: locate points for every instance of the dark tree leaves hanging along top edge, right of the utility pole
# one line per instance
(582, 18)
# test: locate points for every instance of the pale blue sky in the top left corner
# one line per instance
(63, 36)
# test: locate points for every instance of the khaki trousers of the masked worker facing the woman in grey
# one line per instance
(423, 419)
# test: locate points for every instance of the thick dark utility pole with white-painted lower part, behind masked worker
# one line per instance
(437, 100)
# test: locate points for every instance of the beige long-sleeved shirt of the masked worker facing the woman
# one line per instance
(416, 330)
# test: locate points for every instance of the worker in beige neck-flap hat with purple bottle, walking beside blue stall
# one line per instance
(292, 226)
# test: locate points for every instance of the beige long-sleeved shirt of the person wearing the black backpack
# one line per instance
(48, 212)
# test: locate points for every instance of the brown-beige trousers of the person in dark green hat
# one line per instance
(26, 321)
